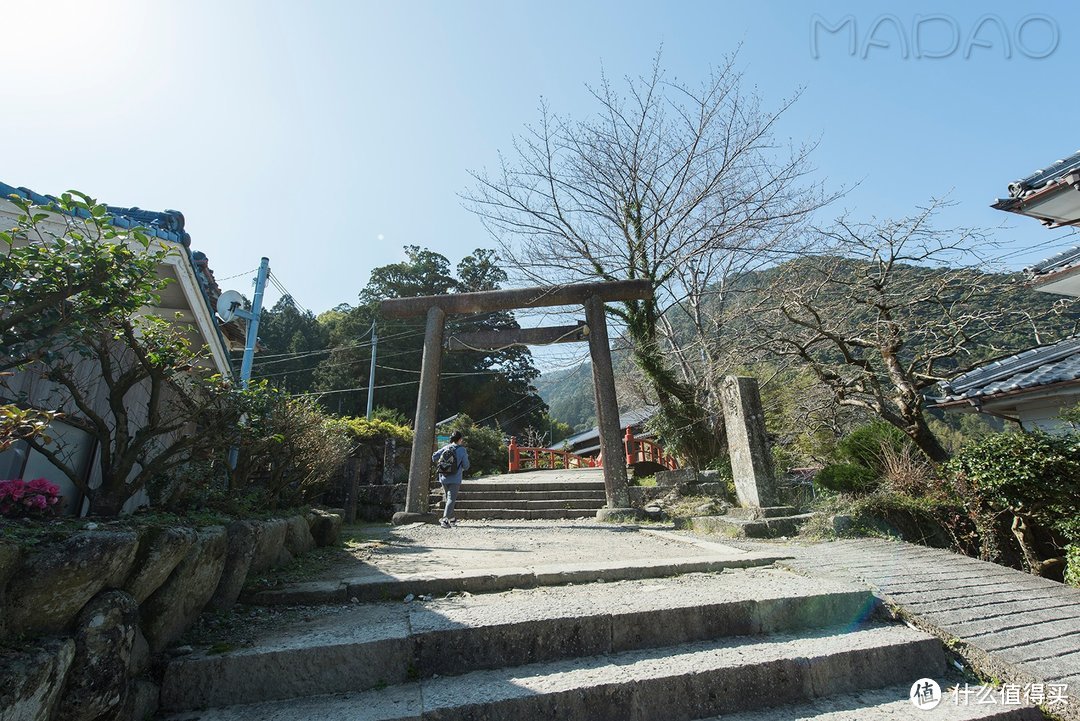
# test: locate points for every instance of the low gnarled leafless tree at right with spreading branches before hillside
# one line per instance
(890, 309)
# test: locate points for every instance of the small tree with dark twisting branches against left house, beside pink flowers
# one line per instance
(144, 394)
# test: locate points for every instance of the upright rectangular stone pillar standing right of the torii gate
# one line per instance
(748, 444)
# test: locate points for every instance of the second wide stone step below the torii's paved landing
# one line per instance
(687, 682)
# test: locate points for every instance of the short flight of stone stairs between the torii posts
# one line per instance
(505, 500)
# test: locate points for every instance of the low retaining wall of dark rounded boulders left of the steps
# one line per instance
(90, 613)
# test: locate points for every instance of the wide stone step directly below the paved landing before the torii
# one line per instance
(336, 650)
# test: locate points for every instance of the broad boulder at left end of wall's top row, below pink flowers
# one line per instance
(57, 582)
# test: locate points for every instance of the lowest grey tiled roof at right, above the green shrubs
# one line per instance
(1037, 368)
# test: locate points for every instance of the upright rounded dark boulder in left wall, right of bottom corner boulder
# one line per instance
(99, 681)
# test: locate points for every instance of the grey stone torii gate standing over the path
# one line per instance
(437, 308)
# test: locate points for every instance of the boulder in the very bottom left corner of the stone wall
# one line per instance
(33, 682)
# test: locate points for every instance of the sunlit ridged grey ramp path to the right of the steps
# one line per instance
(1009, 625)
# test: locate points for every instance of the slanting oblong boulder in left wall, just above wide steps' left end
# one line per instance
(175, 606)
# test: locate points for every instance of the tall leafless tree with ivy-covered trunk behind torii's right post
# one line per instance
(679, 185)
